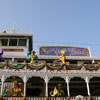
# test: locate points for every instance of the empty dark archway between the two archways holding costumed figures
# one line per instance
(35, 87)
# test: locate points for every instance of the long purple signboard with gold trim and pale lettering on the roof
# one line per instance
(69, 51)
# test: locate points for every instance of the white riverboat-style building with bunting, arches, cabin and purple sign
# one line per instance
(81, 76)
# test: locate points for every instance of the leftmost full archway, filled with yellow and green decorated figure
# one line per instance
(13, 86)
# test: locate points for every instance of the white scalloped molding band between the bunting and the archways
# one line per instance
(47, 75)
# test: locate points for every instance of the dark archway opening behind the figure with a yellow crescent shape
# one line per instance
(54, 82)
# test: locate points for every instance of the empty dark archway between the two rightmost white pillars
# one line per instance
(77, 86)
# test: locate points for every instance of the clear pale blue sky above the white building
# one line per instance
(55, 22)
